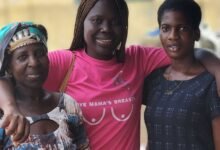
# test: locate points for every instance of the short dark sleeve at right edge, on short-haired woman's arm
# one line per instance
(213, 101)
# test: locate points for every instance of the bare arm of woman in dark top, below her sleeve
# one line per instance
(216, 132)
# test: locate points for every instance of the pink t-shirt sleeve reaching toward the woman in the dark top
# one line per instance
(149, 58)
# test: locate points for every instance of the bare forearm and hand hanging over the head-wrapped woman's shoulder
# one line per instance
(13, 121)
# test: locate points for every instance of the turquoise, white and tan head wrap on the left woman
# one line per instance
(15, 35)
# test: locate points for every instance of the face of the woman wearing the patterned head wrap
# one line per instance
(29, 65)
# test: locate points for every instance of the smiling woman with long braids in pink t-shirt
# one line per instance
(106, 80)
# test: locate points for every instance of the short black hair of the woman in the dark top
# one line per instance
(189, 8)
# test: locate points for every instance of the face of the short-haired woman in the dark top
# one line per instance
(177, 34)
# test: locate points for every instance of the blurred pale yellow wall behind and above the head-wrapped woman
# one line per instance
(57, 15)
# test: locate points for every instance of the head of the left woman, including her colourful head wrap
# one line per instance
(23, 49)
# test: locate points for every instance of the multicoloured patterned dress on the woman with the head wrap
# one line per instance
(70, 135)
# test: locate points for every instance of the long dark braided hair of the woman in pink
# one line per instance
(85, 8)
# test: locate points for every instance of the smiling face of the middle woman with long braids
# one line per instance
(102, 30)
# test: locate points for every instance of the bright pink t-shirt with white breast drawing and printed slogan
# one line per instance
(108, 92)
